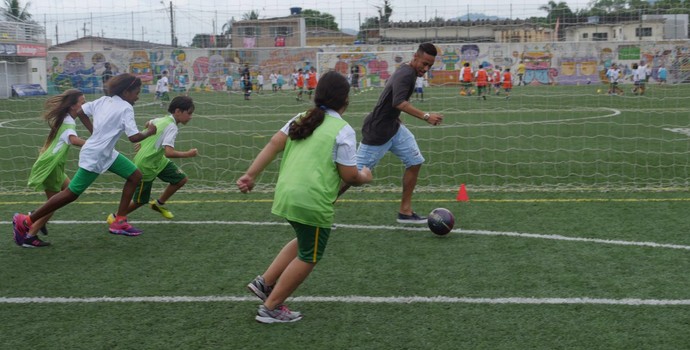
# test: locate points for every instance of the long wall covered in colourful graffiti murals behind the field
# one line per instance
(207, 70)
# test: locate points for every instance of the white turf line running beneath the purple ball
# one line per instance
(407, 228)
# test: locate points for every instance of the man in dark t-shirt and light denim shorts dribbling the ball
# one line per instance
(383, 130)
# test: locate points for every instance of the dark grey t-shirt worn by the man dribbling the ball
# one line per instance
(383, 122)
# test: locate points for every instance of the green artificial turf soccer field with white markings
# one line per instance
(574, 237)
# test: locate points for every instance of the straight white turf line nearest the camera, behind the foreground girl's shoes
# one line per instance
(353, 299)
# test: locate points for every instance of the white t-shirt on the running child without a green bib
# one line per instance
(110, 117)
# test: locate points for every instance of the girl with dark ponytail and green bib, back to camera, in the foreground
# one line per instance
(318, 151)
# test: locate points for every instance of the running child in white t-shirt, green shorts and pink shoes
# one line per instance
(112, 115)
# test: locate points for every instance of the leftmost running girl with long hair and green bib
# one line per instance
(48, 172)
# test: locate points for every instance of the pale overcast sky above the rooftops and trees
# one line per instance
(149, 19)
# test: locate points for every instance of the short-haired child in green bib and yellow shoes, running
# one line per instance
(153, 161)
